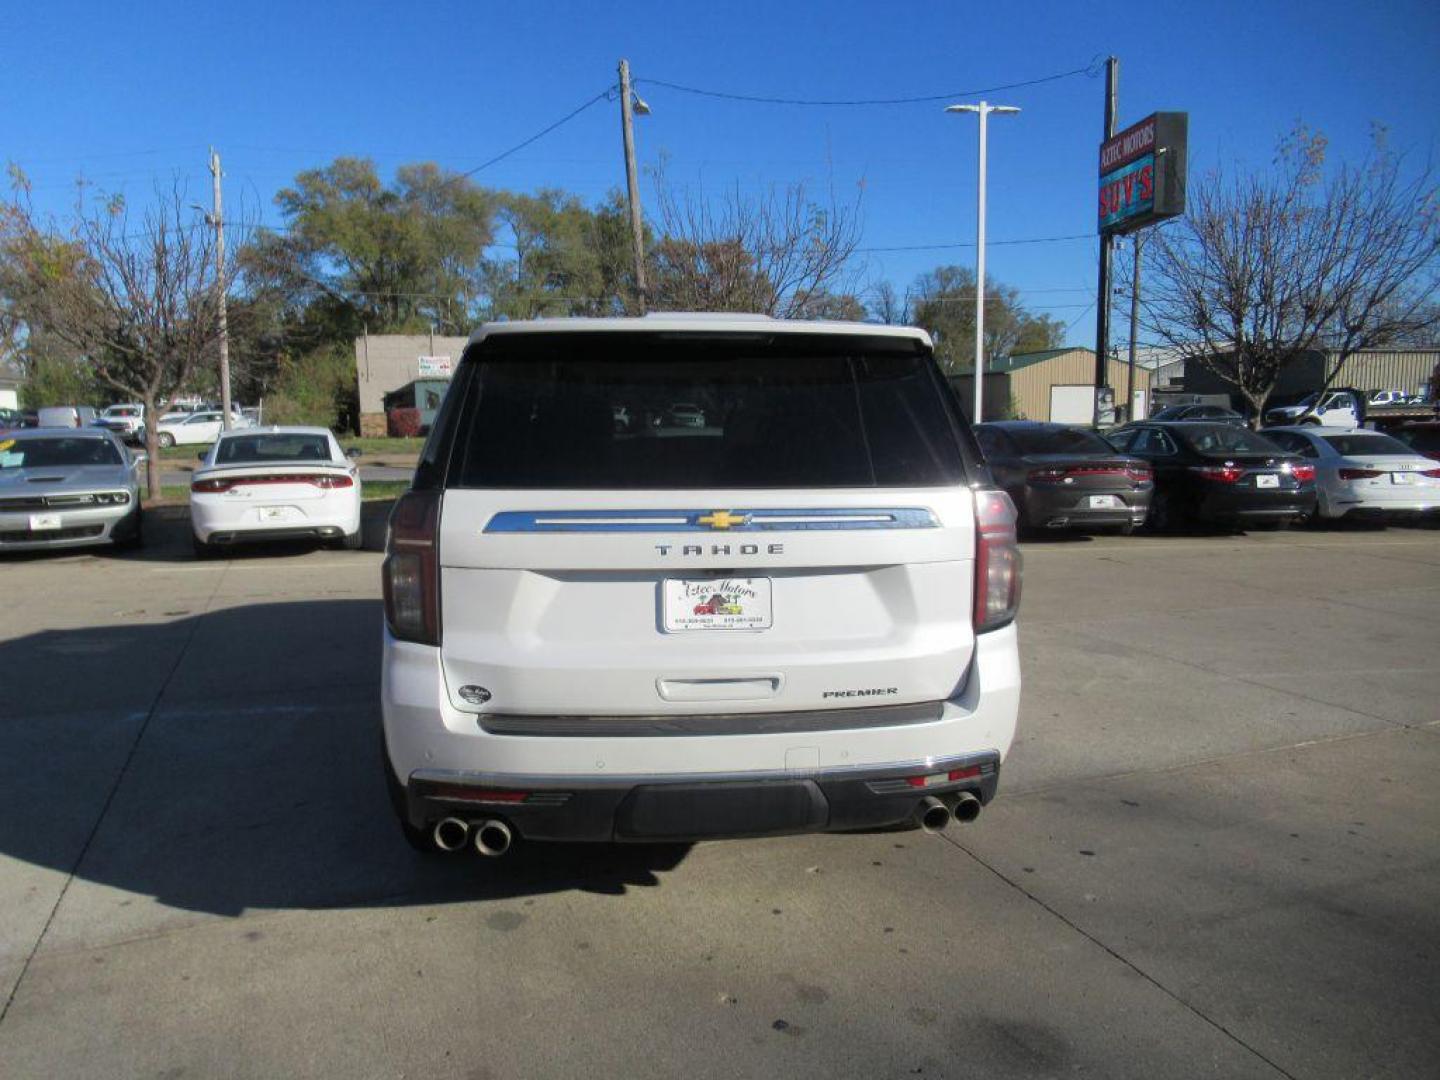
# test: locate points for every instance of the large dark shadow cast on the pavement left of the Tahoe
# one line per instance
(233, 761)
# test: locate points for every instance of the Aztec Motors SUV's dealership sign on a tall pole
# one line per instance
(1143, 174)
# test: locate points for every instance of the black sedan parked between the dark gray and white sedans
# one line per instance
(1219, 473)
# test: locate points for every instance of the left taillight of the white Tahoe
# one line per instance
(411, 570)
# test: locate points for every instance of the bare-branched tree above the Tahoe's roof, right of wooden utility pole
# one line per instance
(777, 253)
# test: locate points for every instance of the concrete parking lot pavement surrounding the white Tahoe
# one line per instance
(1215, 852)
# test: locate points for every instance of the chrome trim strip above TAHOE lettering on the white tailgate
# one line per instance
(690, 521)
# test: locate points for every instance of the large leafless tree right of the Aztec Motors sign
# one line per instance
(1266, 270)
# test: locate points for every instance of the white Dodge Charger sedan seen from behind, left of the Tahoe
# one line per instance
(274, 485)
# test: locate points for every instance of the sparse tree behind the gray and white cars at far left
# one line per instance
(139, 299)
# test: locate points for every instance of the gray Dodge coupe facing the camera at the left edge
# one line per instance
(64, 487)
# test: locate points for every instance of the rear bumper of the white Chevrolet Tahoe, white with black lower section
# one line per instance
(672, 787)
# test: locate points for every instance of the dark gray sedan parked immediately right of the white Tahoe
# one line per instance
(1063, 477)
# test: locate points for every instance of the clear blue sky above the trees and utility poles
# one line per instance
(132, 94)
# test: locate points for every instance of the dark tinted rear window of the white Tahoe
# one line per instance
(582, 411)
